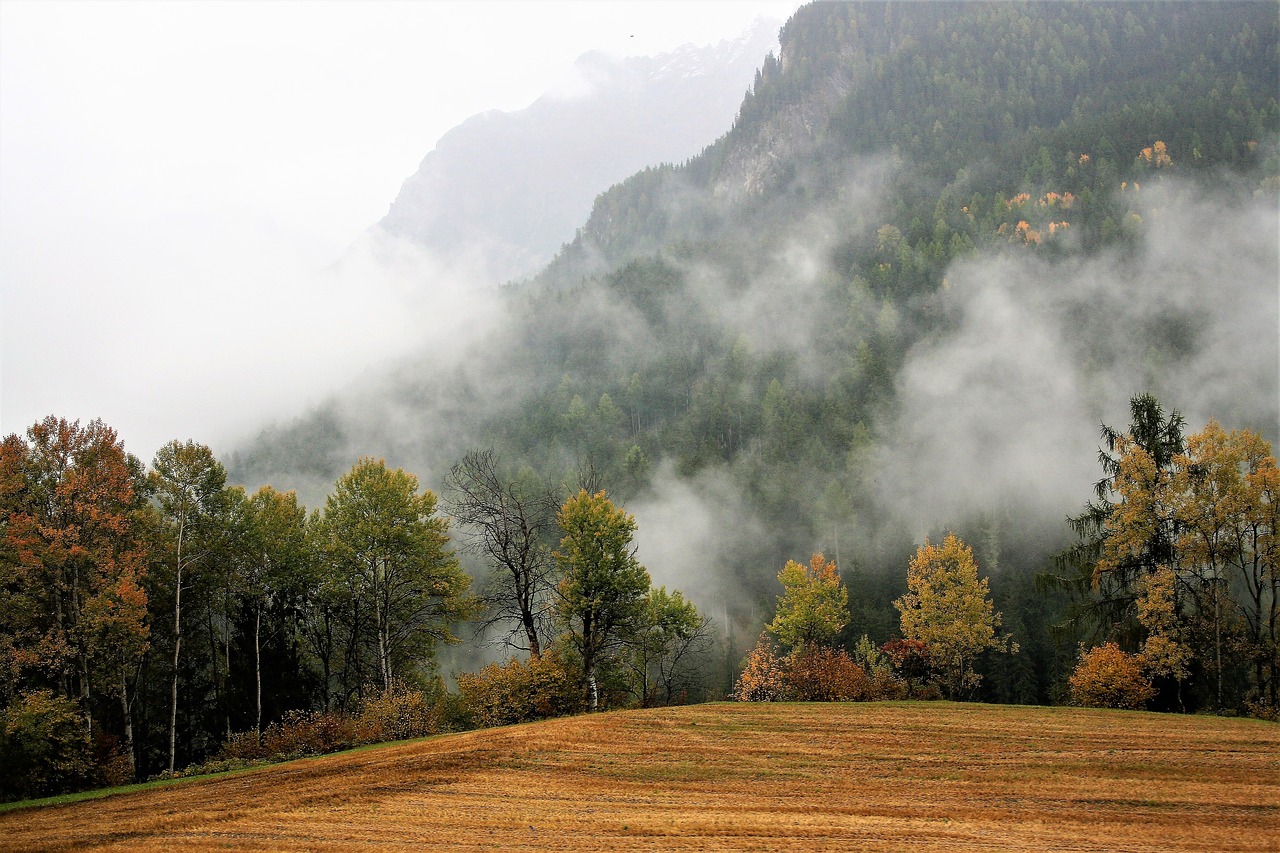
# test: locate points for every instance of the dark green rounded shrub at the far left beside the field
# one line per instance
(44, 747)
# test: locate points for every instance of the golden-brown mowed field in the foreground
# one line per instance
(875, 777)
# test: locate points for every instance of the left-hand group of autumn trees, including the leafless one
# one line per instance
(153, 615)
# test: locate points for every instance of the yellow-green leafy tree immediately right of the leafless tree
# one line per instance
(604, 586)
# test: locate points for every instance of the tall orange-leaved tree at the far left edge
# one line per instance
(72, 564)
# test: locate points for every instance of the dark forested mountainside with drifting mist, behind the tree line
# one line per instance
(936, 248)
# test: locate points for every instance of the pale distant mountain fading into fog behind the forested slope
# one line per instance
(504, 191)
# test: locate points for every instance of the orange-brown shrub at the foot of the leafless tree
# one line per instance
(520, 692)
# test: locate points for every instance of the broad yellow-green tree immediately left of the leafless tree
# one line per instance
(386, 540)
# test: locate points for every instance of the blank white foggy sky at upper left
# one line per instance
(172, 175)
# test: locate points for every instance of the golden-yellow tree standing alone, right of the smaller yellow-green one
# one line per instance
(948, 609)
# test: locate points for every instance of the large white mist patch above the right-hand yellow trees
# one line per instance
(1004, 409)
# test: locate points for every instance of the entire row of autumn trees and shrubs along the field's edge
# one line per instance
(154, 617)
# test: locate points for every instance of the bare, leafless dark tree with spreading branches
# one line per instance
(510, 523)
